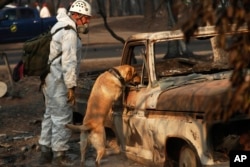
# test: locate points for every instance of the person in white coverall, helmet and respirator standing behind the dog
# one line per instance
(59, 85)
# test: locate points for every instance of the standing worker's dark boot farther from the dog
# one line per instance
(46, 155)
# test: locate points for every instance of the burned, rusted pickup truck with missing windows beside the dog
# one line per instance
(161, 121)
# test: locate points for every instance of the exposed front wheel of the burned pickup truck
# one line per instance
(188, 158)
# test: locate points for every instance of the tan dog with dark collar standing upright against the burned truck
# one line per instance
(106, 90)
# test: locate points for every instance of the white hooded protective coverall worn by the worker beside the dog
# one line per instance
(63, 75)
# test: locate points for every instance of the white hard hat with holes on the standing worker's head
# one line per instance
(81, 6)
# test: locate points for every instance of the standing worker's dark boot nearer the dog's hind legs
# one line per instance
(61, 159)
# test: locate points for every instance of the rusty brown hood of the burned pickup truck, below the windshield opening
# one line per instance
(194, 93)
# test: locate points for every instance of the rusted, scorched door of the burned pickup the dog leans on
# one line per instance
(131, 99)
